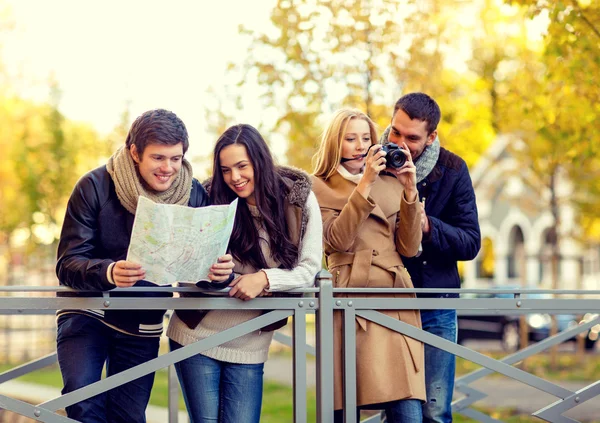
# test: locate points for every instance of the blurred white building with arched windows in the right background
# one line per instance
(515, 219)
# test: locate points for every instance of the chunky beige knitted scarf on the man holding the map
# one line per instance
(129, 185)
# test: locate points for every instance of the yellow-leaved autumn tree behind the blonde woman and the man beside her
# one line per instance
(322, 55)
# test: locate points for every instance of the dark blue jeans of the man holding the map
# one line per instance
(84, 344)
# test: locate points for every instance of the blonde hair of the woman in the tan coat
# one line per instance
(329, 155)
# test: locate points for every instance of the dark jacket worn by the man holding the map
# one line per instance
(95, 233)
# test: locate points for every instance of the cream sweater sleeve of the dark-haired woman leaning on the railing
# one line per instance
(311, 253)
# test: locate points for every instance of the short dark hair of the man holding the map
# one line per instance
(157, 126)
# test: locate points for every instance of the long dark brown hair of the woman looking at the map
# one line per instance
(269, 194)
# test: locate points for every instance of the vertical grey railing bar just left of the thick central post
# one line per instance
(299, 363)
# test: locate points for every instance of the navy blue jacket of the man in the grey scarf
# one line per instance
(454, 226)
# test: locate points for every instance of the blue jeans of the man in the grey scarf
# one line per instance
(439, 366)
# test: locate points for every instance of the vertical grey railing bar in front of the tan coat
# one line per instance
(350, 365)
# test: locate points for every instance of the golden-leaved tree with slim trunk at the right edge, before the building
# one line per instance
(553, 106)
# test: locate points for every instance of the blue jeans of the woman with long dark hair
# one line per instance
(217, 391)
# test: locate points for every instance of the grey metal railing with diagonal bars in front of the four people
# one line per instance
(323, 305)
